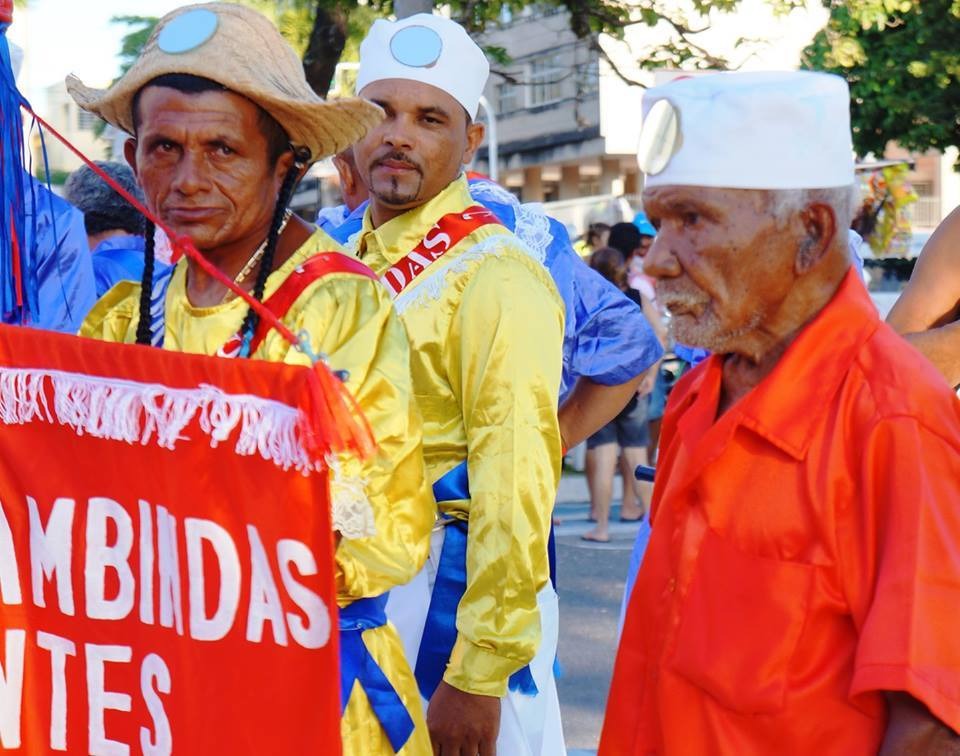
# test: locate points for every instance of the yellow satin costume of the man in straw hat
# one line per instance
(350, 319)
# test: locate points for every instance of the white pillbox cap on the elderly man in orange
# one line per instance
(775, 130)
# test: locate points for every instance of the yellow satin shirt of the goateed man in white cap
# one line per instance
(486, 329)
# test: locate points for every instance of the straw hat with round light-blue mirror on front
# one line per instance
(240, 49)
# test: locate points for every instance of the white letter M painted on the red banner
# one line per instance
(51, 549)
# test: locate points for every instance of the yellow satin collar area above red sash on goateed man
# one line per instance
(400, 235)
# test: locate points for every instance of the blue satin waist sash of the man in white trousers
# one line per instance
(440, 629)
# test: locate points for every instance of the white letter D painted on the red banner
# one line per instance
(218, 625)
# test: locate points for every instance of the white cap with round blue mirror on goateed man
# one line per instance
(430, 49)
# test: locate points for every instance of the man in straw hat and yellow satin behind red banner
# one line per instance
(223, 125)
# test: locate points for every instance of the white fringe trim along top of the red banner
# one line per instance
(144, 413)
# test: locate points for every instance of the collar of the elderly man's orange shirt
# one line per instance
(787, 406)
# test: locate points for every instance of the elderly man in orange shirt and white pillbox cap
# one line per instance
(802, 582)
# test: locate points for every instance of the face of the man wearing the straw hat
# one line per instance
(202, 160)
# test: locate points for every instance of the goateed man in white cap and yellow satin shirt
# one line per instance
(486, 325)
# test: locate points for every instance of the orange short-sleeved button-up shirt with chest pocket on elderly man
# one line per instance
(805, 554)
